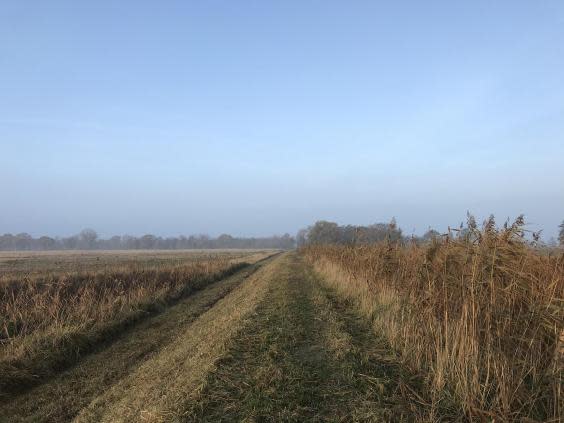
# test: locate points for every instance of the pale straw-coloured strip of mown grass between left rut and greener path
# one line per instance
(159, 389)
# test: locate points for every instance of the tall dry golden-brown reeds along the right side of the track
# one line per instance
(480, 316)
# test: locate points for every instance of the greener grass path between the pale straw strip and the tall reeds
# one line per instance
(306, 356)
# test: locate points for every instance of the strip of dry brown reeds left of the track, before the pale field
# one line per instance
(47, 322)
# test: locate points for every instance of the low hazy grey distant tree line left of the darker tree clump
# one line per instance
(88, 239)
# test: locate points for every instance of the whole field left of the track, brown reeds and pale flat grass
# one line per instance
(49, 318)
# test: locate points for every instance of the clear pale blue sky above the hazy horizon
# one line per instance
(254, 117)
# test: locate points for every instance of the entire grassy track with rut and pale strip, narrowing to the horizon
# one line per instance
(270, 343)
